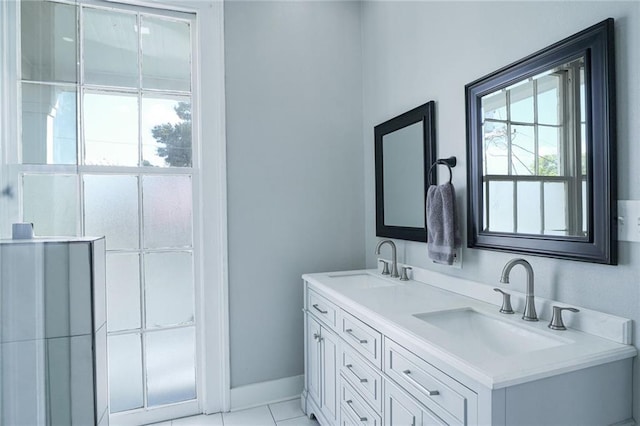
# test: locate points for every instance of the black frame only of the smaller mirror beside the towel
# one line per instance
(426, 114)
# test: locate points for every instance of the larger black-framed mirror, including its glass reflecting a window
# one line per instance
(541, 152)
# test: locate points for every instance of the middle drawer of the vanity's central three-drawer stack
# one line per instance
(363, 378)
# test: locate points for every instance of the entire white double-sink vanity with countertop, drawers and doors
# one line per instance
(383, 351)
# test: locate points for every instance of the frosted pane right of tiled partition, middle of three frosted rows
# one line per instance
(123, 291)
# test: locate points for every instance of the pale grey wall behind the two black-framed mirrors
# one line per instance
(419, 51)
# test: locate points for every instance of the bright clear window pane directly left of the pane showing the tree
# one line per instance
(112, 142)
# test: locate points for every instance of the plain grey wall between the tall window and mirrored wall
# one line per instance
(295, 170)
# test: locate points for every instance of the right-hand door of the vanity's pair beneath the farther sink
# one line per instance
(329, 371)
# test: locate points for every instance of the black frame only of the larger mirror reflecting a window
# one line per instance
(596, 44)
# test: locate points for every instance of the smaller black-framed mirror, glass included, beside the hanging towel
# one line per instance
(404, 150)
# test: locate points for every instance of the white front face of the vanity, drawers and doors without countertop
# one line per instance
(352, 359)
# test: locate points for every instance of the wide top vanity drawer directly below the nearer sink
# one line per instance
(430, 386)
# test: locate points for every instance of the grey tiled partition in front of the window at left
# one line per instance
(53, 341)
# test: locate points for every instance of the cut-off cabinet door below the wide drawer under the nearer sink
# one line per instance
(401, 410)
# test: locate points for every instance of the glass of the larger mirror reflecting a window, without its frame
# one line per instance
(534, 155)
